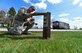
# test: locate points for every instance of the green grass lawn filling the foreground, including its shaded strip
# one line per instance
(60, 42)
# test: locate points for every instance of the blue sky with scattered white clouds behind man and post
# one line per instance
(68, 11)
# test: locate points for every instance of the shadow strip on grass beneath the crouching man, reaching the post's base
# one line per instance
(32, 36)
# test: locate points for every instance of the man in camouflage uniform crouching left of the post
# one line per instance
(23, 19)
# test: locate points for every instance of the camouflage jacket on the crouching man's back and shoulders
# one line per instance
(22, 15)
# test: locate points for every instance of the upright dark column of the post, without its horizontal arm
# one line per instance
(46, 25)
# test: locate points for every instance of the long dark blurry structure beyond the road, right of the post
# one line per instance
(60, 25)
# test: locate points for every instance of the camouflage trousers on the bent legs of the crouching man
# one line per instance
(20, 27)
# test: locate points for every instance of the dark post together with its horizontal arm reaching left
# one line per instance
(46, 23)
